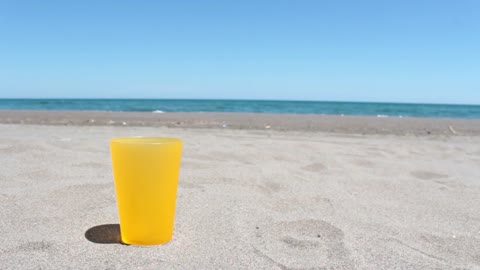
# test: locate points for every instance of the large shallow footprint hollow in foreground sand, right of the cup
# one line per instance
(310, 244)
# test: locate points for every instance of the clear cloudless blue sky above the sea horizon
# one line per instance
(403, 51)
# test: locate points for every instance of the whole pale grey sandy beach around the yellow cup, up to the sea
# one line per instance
(255, 192)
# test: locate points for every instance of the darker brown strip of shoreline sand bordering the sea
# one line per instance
(346, 124)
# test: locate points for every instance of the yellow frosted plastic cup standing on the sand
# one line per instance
(145, 171)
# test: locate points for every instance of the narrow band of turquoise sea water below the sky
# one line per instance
(259, 106)
